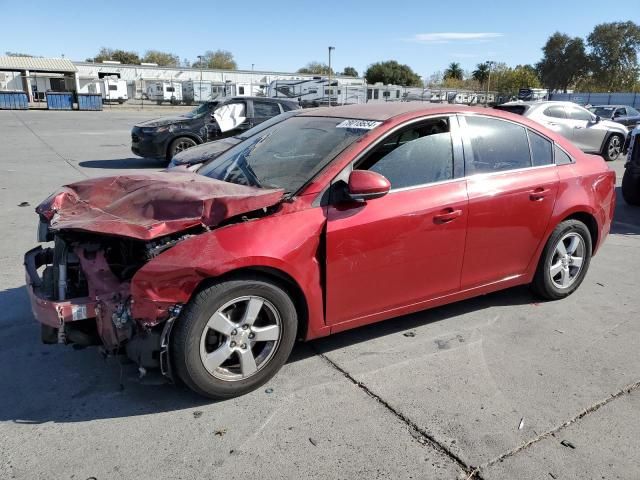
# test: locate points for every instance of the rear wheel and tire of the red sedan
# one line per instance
(564, 261)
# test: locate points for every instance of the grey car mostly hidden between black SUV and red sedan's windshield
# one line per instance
(193, 157)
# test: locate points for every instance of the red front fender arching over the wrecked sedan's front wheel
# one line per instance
(288, 241)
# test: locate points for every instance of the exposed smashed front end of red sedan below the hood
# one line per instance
(80, 292)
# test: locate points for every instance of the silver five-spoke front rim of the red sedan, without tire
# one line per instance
(240, 338)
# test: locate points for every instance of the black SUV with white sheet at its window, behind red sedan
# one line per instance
(164, 137)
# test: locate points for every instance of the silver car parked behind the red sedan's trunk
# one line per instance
(587, 131)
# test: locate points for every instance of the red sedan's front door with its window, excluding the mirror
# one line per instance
(406, 247)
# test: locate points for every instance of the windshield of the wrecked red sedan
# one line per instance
(286, 155)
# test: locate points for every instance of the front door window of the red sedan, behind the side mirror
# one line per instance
(416, 156)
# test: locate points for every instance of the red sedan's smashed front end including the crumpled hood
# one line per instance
(102, 232)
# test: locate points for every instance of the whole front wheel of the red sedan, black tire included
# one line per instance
(233, 337)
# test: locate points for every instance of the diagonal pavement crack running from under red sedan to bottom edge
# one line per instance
(471, 471)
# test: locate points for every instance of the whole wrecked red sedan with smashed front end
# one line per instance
(329, 220)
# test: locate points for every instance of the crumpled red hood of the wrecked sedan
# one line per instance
(150, 205)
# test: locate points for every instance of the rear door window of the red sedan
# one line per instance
(497, 146)
